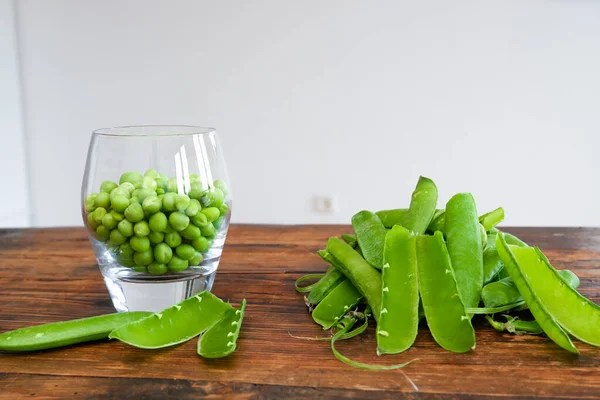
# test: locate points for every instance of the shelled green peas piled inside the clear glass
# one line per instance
(152, 228)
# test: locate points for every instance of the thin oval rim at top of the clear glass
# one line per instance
(154, 130)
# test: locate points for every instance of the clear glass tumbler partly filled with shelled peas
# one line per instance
(156, 202)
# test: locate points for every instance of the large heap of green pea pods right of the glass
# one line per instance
(443, 266)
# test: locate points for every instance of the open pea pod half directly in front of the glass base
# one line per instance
(174, 325)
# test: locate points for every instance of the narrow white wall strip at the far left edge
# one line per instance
(14, 199)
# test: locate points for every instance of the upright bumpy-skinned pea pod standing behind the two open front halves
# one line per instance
(464, 247)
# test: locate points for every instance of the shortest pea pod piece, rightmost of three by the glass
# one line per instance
(220, 340)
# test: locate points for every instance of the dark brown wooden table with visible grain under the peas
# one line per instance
(50, 275)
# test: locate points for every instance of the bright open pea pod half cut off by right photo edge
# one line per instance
(576, 314)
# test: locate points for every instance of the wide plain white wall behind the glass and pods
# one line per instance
(351, 99)
